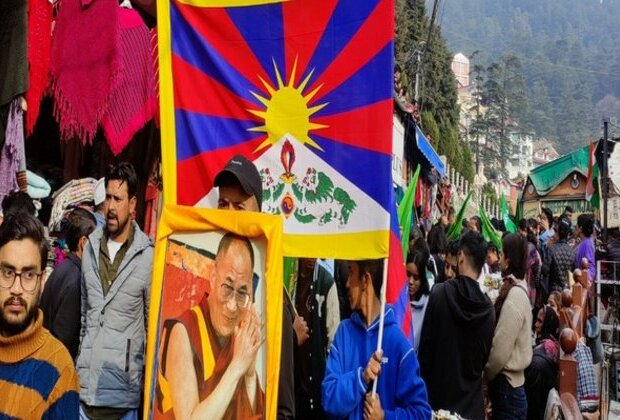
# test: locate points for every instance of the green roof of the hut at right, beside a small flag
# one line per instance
(548, 176)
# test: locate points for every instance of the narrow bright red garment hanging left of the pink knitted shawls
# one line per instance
(39, 46)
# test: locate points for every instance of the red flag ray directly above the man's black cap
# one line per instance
(195, 175)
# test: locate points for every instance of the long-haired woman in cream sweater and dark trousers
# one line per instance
(511, 351)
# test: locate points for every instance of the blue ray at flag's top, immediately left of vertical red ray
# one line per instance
(263, 30)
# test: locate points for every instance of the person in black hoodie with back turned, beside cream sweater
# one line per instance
(457, 335)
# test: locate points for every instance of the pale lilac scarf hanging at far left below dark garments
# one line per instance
(13, 149)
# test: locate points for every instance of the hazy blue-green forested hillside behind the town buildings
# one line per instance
(569, 51)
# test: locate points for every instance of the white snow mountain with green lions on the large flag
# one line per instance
(313, 197)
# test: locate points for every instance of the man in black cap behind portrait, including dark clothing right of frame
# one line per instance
(240, 188)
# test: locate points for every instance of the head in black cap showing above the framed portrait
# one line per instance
(240, 186)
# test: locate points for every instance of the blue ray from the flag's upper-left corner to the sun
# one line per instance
(188, 44)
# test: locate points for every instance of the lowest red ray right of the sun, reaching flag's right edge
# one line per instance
(360, 127)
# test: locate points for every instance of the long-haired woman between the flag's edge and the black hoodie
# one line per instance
(419, 288)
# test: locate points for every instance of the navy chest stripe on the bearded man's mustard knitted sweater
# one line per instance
(37, 375)
